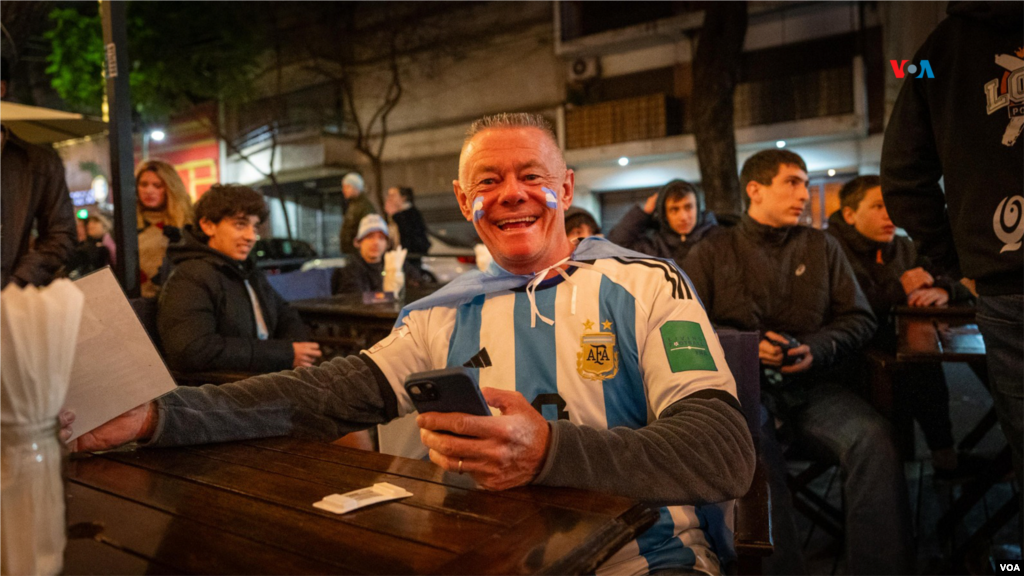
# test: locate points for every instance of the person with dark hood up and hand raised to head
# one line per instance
(669, 225)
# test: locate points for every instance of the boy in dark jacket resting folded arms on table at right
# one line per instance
(891, 274)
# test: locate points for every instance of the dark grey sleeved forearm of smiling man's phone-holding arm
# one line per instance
(700, 451)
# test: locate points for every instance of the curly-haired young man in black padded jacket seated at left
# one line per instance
(218, 311)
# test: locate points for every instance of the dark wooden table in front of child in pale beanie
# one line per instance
(346, 324)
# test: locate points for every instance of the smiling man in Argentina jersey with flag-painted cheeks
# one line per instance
(603, 362)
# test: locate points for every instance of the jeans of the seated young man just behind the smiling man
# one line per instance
(844, 429)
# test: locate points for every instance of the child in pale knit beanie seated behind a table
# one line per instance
(365, 272)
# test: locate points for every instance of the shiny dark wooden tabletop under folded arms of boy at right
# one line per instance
(938, 335)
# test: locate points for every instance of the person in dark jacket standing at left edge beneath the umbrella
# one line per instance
(32, 191)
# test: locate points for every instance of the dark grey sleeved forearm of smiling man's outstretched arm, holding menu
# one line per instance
(325, 403)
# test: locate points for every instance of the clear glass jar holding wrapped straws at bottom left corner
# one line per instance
(32, 504)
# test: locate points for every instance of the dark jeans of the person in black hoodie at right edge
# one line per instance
(1002, 322)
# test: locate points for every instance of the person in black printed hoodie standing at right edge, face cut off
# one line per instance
(966, 127)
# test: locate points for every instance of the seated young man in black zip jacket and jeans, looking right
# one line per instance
(794, 285)
